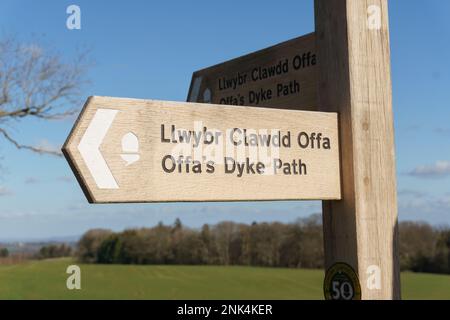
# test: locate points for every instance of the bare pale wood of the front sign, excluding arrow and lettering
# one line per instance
(146, 181)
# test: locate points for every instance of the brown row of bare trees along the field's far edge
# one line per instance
(423, 248)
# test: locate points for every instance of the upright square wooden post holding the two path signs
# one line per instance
(352, 39)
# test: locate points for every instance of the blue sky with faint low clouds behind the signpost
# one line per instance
(149, 49)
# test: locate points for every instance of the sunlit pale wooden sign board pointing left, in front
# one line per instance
(128, 150)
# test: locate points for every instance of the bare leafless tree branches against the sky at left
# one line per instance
(37, 84)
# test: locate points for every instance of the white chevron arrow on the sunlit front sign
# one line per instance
(89, 148)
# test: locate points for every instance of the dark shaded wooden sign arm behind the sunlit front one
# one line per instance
(283, 76)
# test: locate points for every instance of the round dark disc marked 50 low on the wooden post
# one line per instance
(341, 283)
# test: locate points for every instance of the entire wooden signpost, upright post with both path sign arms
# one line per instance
(125, 150)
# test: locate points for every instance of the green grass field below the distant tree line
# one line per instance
(47, 280)
